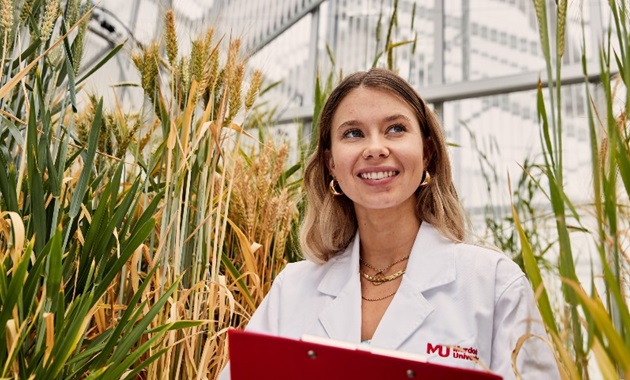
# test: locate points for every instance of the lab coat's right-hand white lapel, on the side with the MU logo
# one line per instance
(431, 264)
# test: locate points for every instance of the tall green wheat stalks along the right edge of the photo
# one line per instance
(590, 327)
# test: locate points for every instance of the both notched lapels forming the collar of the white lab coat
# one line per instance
(431, 264)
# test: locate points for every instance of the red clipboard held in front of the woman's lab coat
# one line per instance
(261, 356)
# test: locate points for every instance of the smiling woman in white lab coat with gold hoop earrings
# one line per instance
(383, 234)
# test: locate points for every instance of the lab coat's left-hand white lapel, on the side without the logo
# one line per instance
(341, 318)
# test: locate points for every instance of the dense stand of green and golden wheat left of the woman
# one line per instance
(122, 254)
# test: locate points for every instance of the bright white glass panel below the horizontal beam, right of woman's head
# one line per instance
(494, 135)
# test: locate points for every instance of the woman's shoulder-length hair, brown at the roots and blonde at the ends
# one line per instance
(330, 222)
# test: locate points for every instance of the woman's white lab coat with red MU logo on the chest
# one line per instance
(452, 295)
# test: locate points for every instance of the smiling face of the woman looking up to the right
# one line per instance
(376, 151)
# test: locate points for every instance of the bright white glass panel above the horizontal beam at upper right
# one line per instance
(489, 38)
